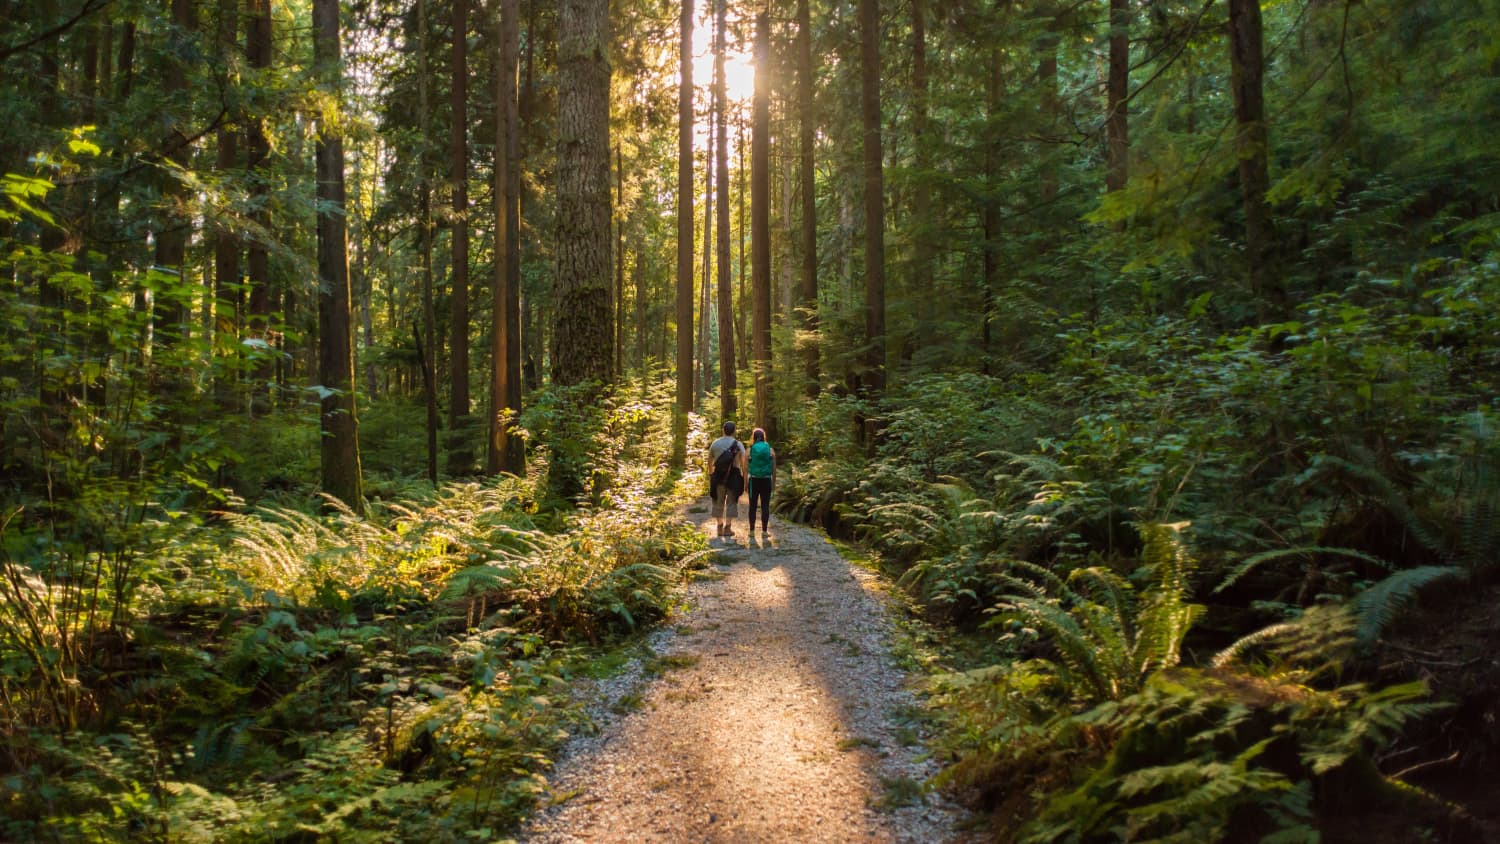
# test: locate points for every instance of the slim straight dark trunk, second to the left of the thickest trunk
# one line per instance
(461, 455)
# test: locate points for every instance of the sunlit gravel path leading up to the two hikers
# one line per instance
(781, 716)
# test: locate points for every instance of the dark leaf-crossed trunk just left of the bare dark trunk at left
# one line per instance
(257, 257)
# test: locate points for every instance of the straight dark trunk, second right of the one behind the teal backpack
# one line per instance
(874, 377)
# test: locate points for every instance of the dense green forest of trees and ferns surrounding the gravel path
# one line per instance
(1151, 344)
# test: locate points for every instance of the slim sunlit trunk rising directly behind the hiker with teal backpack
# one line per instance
(761, 221)
